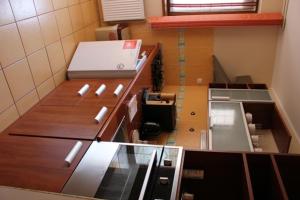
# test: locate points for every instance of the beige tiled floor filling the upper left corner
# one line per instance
(37, 41)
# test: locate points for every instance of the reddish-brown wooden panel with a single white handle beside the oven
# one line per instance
(36, 163)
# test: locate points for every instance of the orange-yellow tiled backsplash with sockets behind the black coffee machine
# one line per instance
(188, 128)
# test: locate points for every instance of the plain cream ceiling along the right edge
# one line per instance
(286, 78)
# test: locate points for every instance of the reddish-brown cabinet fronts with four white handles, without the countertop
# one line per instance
(65, 114)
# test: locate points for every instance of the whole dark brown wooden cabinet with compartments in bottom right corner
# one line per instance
(240, 175)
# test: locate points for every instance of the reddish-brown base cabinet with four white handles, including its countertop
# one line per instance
(65, 114)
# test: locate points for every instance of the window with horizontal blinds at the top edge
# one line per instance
(184, 7)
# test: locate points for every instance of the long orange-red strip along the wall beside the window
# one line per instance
(216, 20)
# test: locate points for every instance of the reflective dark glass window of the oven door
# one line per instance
(126, 173)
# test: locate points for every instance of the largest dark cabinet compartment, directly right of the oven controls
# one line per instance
(224, 176)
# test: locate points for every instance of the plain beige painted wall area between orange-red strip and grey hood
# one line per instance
(247, 51)
